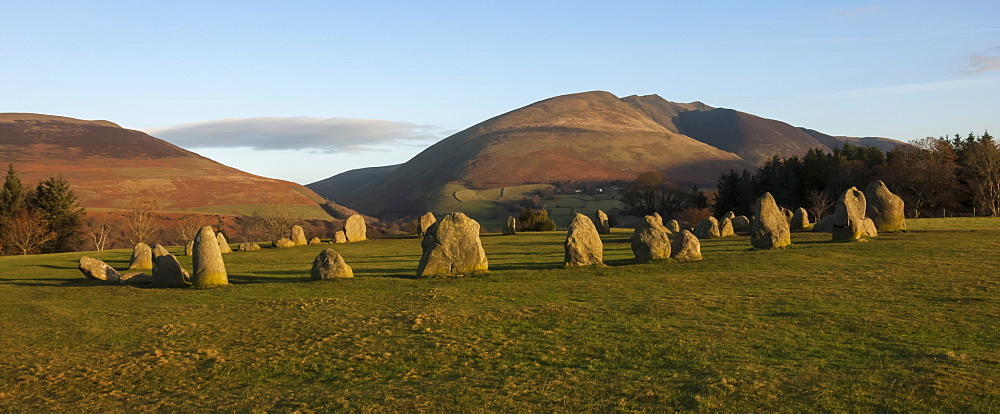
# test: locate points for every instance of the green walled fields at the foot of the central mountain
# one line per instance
(489, 206)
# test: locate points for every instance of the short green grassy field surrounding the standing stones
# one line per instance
(907, 322)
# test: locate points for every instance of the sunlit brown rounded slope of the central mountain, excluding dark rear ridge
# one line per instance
(591, 136)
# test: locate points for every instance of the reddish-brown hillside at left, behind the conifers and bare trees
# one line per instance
(109, 166)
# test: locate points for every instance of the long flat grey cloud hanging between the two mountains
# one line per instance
(297, 133)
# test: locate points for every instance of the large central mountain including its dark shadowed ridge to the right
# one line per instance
(590, 136)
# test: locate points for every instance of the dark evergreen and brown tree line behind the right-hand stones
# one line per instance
(934, 176)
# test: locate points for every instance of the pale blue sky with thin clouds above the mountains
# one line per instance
(303, 90)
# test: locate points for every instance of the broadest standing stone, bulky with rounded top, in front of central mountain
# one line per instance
(451, 247)
